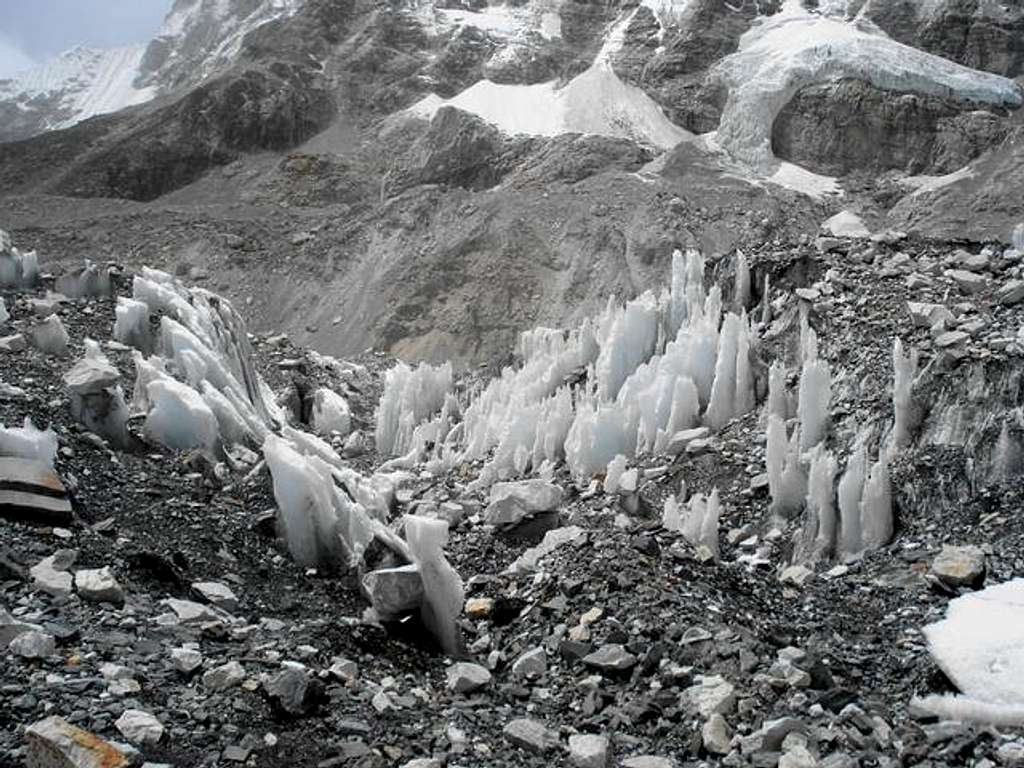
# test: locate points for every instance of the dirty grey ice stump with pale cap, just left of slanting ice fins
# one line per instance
(97, 398)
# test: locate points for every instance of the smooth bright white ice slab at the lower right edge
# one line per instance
(980, 647)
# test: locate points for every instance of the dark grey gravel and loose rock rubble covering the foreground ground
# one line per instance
(840, 657)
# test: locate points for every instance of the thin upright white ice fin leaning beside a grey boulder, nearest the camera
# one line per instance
(444, 593)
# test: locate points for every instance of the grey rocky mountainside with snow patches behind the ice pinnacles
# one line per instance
(585, 144)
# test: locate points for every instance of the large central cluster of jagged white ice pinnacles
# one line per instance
(647, 370)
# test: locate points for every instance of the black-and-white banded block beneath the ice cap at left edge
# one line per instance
(32, 491)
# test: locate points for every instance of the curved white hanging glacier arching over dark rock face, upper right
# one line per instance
(782, 55)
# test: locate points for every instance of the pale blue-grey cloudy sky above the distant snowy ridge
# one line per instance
(32, 31)
